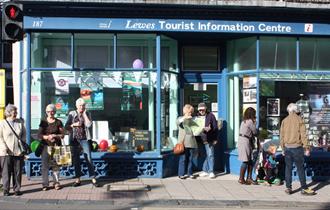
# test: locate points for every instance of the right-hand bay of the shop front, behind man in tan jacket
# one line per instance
(286, 70)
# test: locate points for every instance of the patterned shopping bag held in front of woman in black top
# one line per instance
(62, 155)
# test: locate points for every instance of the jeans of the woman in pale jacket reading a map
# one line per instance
(186, 162)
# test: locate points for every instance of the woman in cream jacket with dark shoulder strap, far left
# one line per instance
(11, 156)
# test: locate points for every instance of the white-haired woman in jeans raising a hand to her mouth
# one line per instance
(79, 125)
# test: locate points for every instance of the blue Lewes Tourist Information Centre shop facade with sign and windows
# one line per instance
(136, 74)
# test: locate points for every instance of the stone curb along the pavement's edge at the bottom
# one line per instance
(176, 203)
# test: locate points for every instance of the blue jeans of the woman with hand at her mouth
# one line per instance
(84, 147)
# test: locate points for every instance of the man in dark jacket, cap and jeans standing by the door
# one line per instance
(209, 138)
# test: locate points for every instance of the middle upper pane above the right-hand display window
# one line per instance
(278, 53)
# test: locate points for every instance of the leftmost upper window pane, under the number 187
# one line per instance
(51, 50)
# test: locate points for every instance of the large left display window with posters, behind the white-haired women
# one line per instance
(122, 104)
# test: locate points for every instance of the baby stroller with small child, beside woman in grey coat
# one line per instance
(266, 167)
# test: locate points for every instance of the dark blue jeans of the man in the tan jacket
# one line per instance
(296, 156)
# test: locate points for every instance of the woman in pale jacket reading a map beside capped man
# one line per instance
(187, 137)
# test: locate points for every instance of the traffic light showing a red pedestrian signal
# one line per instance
(12, 22)
